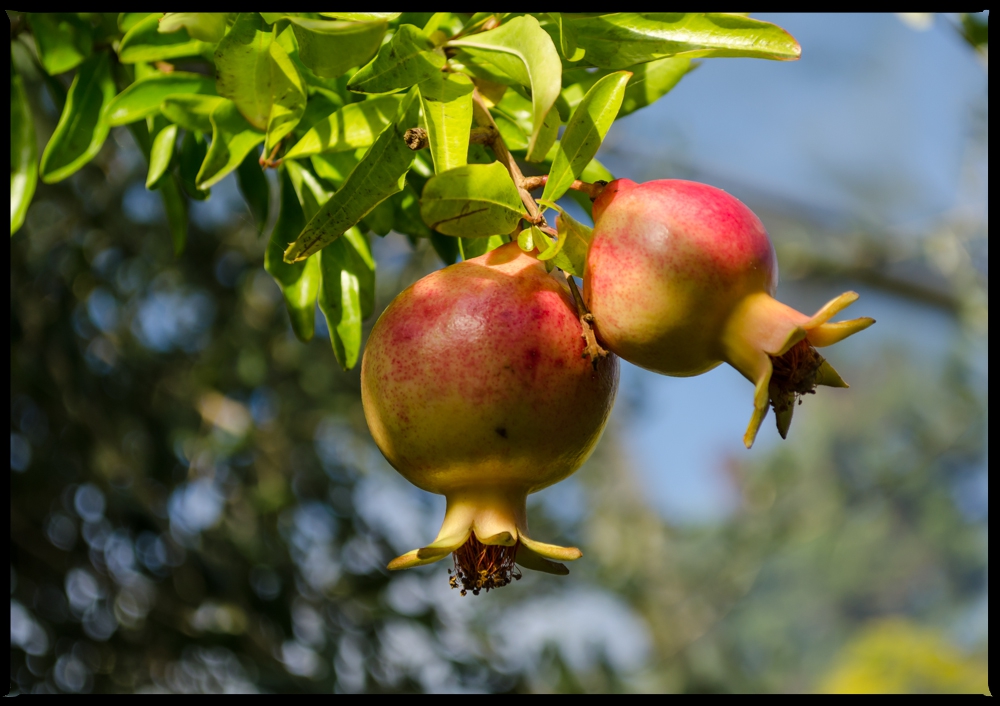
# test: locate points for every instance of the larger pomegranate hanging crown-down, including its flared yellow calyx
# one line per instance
(475, 387)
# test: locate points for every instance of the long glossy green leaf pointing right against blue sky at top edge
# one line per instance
(619, 40)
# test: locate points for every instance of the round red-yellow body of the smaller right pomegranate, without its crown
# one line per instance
(668, 262)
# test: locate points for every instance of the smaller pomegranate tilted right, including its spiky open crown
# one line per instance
(681, 277)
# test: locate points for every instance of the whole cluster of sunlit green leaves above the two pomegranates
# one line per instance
(327, 98)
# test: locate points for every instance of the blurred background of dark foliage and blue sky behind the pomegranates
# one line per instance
(197, 505)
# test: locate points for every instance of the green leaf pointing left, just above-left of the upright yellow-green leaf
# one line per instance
(406, 59)
